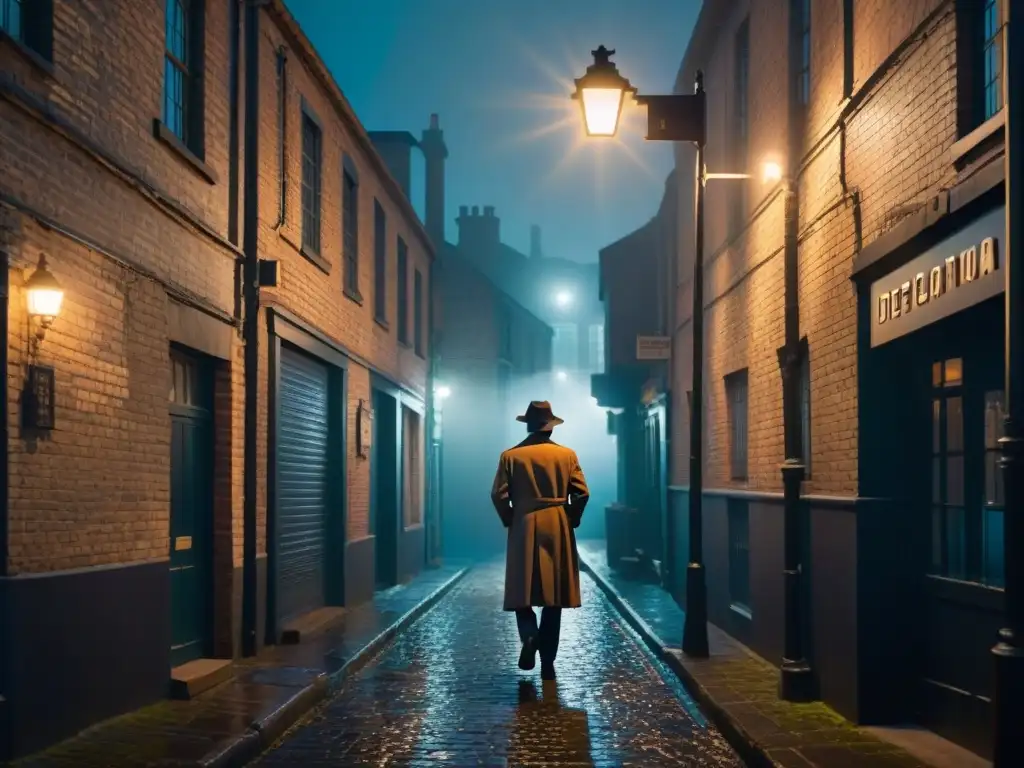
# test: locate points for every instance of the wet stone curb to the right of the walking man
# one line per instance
(753, 754)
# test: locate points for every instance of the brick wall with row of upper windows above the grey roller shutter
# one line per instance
(313, 288)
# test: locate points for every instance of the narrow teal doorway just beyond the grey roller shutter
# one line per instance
(387, 499)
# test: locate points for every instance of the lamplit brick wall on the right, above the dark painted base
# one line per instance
(897, 154)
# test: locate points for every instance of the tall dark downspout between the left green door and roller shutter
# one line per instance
(250, 328)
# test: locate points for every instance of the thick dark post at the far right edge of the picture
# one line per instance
(1008, 748)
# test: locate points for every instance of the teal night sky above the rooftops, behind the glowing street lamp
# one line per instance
(499, 73)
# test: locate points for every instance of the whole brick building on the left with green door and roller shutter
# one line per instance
(146, 523)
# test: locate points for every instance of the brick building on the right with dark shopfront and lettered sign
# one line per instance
(888, 118)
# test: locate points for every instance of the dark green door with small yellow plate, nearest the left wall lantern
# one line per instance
(192, 507)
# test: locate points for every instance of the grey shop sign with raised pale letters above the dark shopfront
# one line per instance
(957, 274)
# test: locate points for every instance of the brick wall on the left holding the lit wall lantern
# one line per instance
(80, 156)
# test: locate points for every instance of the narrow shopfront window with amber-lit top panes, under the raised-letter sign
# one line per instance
(949, 515)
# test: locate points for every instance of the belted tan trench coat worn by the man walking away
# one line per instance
(540, 494)
